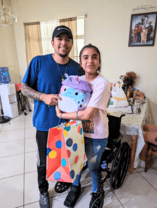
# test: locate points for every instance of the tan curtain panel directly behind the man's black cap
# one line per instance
(72, 24)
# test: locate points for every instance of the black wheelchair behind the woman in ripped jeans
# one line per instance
(116, 152)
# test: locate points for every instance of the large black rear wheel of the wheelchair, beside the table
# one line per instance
(120, 166)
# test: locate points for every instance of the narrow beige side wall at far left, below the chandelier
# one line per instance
(8, 52)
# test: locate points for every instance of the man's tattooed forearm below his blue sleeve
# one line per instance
(29, 92)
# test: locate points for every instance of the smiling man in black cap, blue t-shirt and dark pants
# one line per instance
(42, 82)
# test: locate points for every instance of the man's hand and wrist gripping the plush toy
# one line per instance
(50, 99)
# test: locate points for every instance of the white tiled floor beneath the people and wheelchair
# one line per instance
(18, 176)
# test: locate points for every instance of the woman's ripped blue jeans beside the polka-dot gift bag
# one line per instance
(94, 149)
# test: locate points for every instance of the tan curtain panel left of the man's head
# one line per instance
(32, 40)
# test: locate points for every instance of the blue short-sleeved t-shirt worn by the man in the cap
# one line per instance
(43, 76)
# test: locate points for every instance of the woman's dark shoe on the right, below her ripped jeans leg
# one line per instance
(97, 200)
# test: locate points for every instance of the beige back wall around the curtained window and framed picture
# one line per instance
(107, 26)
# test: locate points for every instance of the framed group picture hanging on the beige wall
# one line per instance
(143, 29)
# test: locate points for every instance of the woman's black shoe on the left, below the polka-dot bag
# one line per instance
(72, 196)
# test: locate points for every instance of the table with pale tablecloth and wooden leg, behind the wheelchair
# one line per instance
(132, 124)
